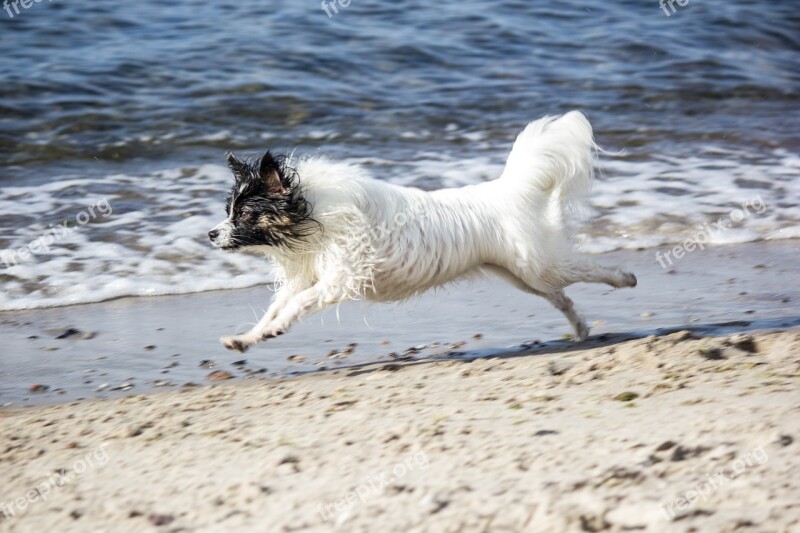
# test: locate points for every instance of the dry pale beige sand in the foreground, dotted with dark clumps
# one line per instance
(669, 433)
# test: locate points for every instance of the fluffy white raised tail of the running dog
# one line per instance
(555, 157)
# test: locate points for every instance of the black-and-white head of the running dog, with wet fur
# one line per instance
(266, 207)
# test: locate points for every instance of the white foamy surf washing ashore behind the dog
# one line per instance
(155, 241)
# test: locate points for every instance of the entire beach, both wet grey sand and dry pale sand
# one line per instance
(680, 413)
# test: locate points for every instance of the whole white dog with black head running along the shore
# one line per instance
(336, 234)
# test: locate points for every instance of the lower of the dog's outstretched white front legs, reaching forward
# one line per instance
(295, 308)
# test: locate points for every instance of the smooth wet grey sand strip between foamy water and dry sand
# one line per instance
(139, 345)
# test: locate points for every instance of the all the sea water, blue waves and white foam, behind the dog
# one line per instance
(132, 106)
